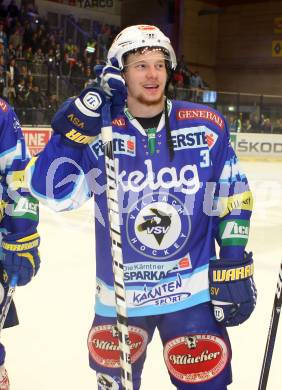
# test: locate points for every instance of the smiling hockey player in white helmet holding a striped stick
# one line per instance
(180, 191)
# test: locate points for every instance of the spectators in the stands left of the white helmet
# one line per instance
(32, 55)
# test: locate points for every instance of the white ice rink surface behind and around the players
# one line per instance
(48, 350)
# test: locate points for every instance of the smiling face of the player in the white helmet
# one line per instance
(145, 76)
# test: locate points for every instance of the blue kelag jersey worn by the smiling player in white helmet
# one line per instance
(171, 212)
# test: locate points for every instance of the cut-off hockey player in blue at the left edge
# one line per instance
(19, 239)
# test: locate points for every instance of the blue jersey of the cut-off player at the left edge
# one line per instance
(18, 209)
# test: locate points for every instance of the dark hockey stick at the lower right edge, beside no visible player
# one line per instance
(271, 333)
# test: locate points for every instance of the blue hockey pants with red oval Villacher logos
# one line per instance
(196, 349)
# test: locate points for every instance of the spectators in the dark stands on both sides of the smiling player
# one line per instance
(40, 66)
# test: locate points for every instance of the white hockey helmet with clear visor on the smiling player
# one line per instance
(142, 35)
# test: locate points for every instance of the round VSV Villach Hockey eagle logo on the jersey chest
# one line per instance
(158, 226)
